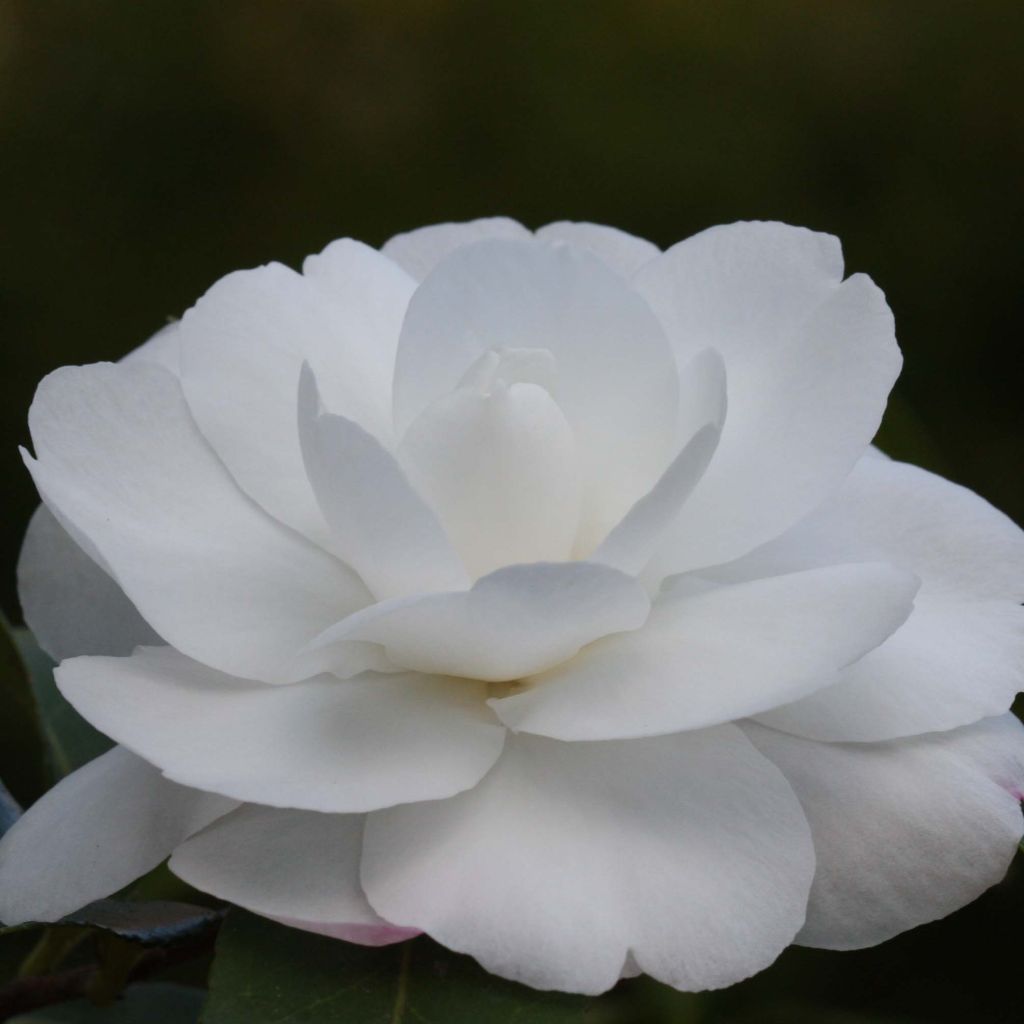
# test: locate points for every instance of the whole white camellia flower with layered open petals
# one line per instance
(540, 592)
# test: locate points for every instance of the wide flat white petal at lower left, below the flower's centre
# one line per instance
(325, 745)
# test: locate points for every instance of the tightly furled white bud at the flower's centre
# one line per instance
(499, 467)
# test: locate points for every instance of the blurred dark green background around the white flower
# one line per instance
(149, 148)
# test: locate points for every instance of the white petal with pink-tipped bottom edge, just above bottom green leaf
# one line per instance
(298, 868)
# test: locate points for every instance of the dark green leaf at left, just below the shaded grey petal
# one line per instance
(71, 742)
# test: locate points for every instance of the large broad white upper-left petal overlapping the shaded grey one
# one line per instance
(120, 460)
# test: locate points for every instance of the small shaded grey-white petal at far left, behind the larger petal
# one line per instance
(70, 604)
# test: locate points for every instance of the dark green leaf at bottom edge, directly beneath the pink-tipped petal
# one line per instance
(268, 973)
